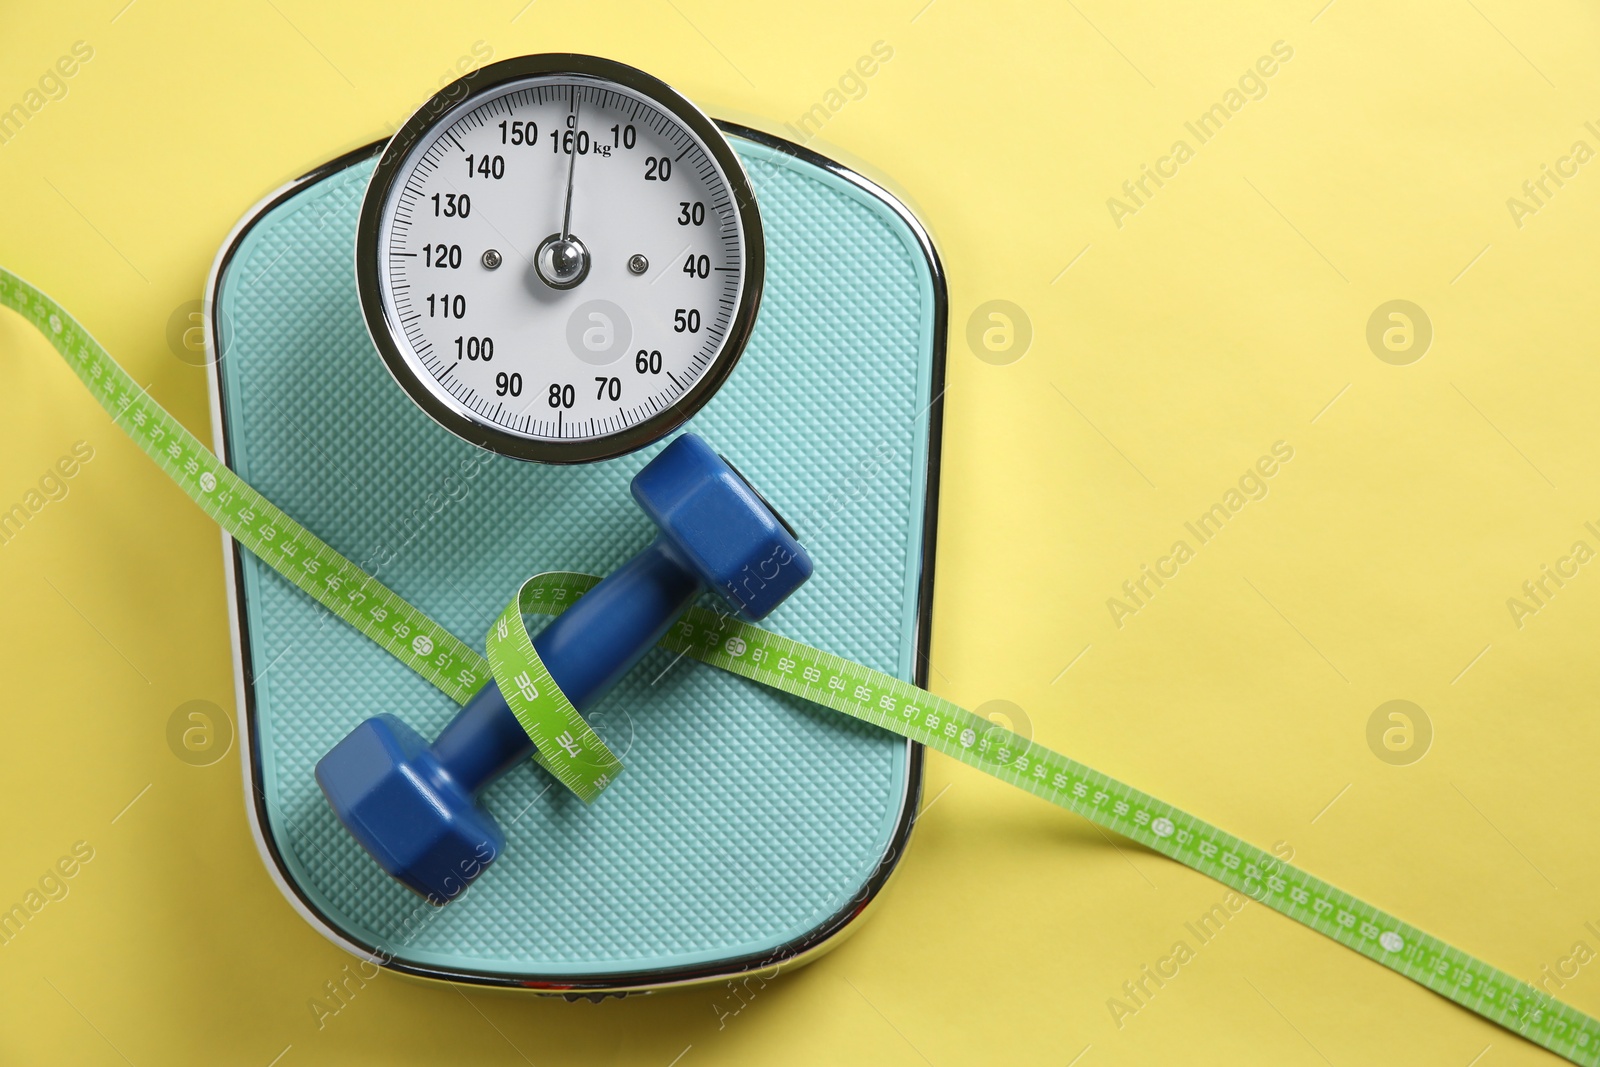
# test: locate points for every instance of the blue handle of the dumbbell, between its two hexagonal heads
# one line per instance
(586, 650)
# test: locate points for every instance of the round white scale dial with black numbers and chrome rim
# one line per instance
(559, 258)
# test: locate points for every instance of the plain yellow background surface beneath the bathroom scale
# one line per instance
(1175, 351)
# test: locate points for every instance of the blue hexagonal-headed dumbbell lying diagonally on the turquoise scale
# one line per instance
(414, 807)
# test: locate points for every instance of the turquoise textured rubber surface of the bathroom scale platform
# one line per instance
(745, 820)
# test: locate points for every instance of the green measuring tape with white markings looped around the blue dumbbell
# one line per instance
(582, 762)
